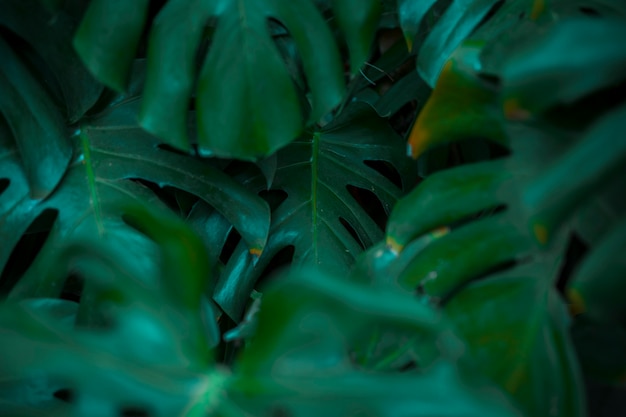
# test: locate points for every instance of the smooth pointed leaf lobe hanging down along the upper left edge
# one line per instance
(36, 124)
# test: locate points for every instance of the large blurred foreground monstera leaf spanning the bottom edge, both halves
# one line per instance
(300, 361)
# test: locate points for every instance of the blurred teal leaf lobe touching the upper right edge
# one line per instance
(548, 65)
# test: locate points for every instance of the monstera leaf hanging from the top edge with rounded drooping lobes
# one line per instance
(242, 71)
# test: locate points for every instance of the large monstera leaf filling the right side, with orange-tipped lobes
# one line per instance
(497, 230)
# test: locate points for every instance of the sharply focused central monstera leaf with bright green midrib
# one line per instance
(315, 172)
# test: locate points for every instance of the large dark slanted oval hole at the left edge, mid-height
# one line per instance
(27, 249)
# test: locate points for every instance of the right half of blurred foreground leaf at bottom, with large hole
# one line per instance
(299, 362)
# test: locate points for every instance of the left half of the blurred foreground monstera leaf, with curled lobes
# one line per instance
(154, 325)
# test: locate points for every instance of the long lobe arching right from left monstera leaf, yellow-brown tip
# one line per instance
(140, 157)
